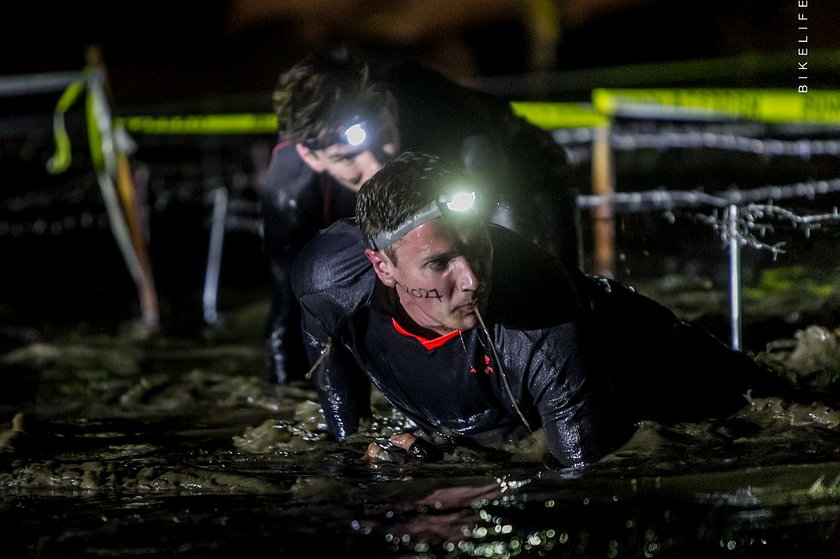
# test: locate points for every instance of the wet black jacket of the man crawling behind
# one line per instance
(518, 162)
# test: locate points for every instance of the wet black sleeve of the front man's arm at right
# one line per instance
(579, 413)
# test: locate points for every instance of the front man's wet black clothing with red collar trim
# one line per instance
(582, 357)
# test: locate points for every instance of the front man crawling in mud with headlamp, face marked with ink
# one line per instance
(481, 337)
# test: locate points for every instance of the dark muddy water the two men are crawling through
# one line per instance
(135, 446)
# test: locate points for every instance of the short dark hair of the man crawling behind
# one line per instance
(321, 92)
